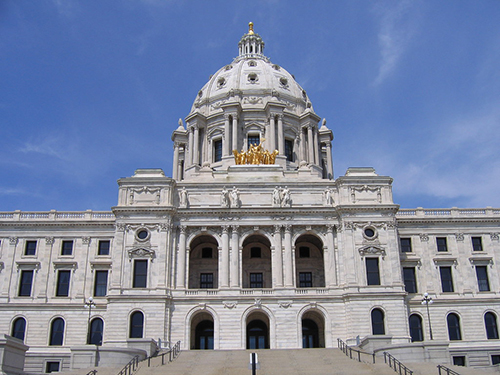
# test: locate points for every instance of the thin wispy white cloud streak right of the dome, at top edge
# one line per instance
(397, 27)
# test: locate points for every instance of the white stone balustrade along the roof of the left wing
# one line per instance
(57, 215)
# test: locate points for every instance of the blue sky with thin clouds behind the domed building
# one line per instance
(92, 89)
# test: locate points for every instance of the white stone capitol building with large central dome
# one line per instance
(252, 243)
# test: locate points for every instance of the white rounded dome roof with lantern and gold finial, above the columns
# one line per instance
(252, 80)
